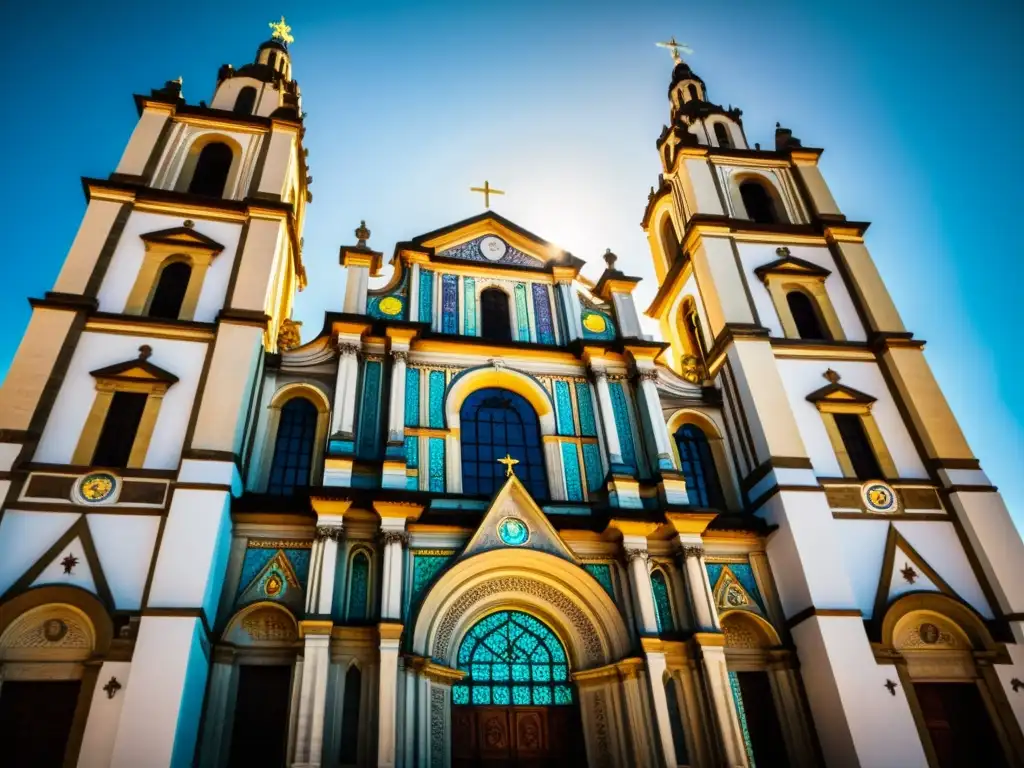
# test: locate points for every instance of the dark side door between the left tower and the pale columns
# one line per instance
(260, 736)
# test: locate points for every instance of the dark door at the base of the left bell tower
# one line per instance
(35, 722)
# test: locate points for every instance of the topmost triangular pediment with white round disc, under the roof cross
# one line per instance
(492, 239)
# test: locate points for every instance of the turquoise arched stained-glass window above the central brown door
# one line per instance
(513, 660)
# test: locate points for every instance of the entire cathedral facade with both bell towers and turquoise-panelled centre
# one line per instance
(481, 518)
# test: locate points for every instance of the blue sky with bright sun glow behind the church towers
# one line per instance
(560, 104)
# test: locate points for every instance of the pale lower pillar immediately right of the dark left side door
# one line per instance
(313, 694)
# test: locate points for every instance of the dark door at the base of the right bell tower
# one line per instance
(959, 724)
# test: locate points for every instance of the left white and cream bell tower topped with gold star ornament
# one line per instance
(125, 415)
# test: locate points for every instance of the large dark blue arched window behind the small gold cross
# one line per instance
(496, 422)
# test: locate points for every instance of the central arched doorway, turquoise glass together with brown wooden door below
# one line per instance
(517, 704)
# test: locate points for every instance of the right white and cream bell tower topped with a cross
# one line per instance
(769, 294)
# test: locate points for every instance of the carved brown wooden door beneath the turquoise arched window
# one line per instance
(517, 737)
